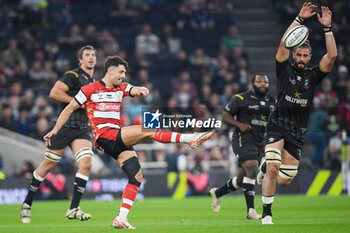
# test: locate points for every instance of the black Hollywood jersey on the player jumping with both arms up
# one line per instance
(295, 90)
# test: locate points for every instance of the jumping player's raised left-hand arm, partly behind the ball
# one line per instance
(305, 12)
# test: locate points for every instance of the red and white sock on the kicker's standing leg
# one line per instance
(128, 199)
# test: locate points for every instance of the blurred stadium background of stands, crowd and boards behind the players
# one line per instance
(198, 54)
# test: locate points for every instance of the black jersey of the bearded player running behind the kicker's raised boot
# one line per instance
(251, 109)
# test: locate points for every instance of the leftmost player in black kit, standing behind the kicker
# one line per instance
(76, 133)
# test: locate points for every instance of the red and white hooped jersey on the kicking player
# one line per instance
(103, 105)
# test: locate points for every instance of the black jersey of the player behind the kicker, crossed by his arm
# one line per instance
(75, 79)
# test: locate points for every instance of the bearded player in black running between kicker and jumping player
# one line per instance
(248, 112)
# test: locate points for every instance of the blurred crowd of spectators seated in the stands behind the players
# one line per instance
(188, 53)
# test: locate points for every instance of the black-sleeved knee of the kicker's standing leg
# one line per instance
(132, 169)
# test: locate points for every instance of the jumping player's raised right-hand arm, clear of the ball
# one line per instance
(327, 61)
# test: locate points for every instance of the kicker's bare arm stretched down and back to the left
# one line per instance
(62, 119)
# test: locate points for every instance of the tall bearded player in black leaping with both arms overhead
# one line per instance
(288, 122)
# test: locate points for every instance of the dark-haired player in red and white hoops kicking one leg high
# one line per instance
(102, 101)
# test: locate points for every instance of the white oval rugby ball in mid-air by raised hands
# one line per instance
(296, 37)
